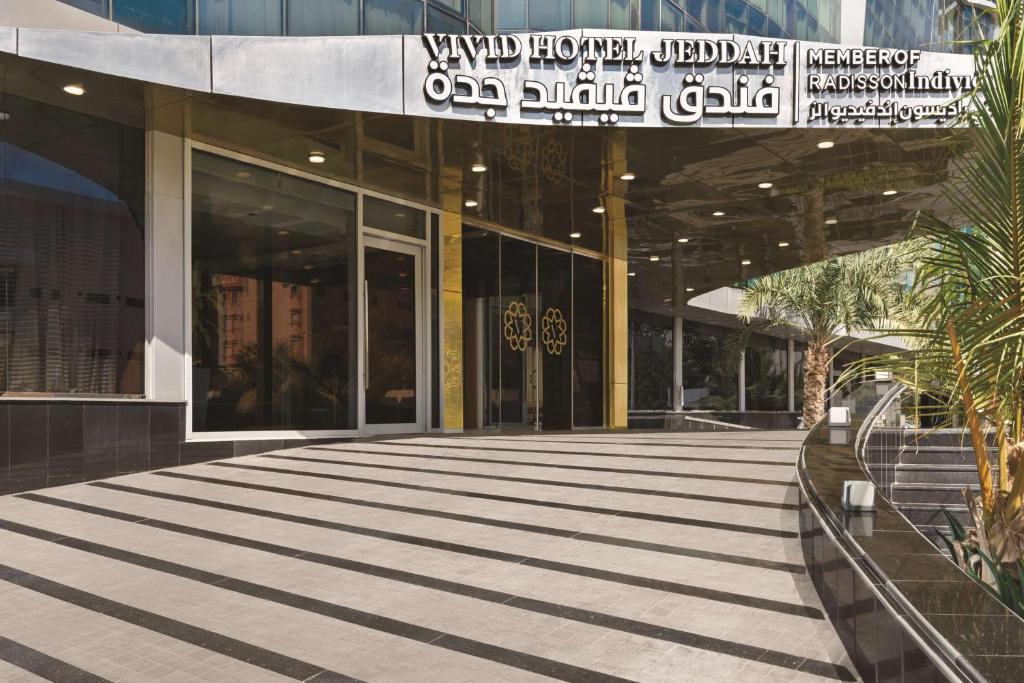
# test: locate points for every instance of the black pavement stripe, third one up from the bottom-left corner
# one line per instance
(524, 661)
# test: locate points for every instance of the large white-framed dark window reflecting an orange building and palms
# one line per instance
(274, 301)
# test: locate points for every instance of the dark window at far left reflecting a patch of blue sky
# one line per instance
(72, 258)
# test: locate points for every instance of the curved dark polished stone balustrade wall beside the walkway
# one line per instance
(904, 611)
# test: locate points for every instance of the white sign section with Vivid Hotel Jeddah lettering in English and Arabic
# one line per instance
(684, 80)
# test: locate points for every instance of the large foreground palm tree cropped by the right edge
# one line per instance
(968, 345)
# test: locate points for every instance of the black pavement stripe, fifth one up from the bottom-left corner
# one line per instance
(487, 553)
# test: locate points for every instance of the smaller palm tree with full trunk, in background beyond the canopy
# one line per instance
(828, 302)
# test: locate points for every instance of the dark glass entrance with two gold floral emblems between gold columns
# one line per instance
(533, 334)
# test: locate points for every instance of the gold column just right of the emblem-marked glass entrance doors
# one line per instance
(618, 282)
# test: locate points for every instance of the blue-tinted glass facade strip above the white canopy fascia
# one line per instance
(932, 25)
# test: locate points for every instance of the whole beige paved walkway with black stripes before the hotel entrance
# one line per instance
(580, 558)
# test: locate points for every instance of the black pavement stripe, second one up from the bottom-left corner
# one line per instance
(217, 643)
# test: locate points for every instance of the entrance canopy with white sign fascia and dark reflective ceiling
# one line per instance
(701, 160)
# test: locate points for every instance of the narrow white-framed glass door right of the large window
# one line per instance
(393, 326)
